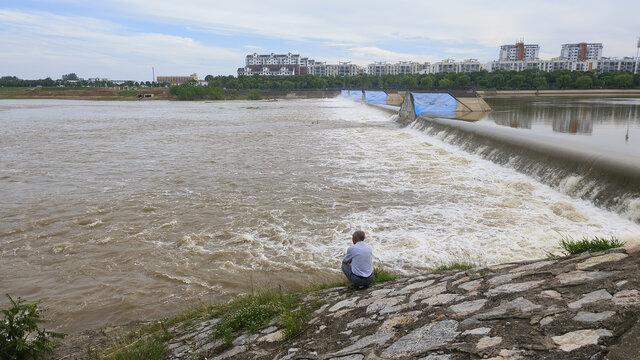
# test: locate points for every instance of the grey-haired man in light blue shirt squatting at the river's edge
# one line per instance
(358, 263)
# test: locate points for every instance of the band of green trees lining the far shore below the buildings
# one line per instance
(247, 87)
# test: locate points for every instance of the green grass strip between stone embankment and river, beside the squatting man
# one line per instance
(246, 313)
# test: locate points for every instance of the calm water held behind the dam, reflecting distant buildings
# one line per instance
(607, 124)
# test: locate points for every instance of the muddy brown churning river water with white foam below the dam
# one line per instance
(119, 211)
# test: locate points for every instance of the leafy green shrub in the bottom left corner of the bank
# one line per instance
(20, 337)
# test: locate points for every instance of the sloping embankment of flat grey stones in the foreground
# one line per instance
(580, 307)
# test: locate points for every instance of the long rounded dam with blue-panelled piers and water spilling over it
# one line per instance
(608, 179)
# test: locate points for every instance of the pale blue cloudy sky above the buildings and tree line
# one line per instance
(125, 40)
